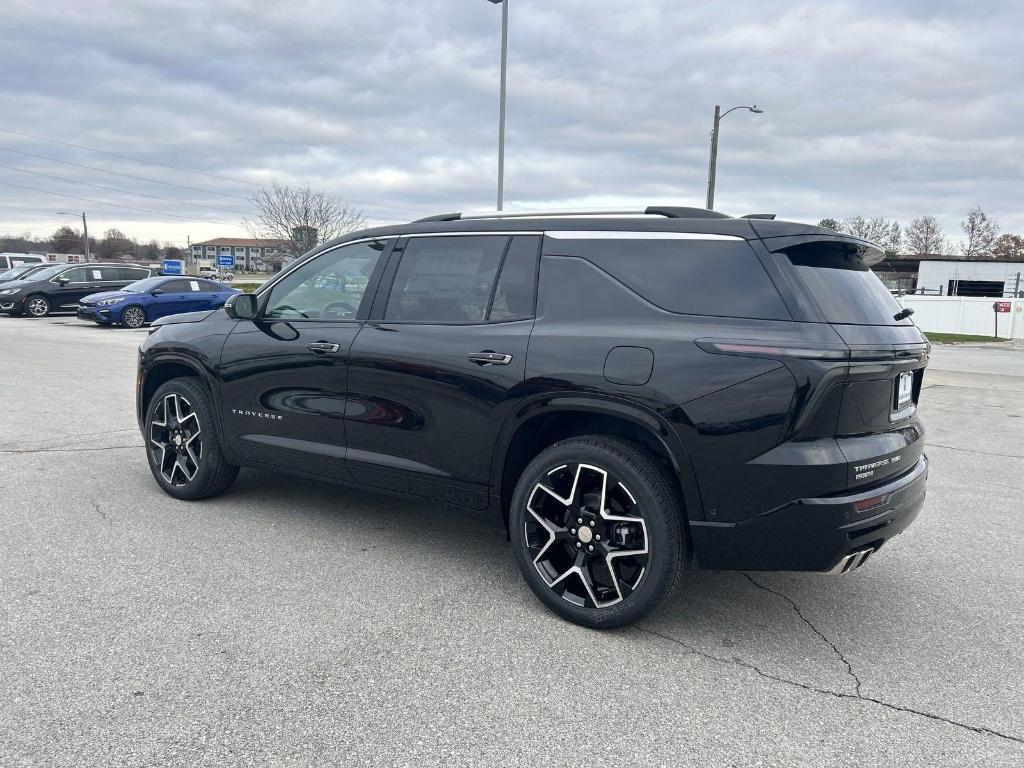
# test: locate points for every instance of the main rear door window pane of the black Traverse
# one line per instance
(446, 279)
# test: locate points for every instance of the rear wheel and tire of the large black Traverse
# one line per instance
(611, 599)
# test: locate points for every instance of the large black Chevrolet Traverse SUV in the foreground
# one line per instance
(634, 395)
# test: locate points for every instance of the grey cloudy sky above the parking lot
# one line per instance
(162, 118)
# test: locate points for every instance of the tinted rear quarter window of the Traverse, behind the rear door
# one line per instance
(721, 278)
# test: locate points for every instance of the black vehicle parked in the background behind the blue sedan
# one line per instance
(60, 287)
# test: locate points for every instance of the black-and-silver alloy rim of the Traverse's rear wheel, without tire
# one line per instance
(586, 536)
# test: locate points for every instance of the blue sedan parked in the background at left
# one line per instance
(146, 301)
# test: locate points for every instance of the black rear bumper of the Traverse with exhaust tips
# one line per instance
(815, 534)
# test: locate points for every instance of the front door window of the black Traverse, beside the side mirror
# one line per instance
(329, 287)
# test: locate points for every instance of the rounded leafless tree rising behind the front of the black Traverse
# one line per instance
(296, 219)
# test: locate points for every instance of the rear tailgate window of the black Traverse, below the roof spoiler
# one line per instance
(842, 284)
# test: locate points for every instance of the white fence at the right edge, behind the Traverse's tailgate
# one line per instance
(961, 315)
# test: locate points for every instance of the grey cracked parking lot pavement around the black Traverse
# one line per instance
(292, 623)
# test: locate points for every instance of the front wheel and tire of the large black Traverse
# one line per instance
(185, 474)
